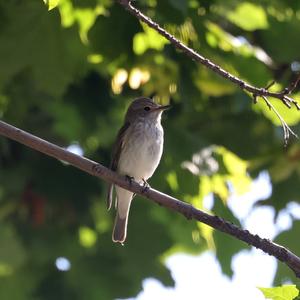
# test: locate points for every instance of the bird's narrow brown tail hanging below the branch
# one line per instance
(124, 198)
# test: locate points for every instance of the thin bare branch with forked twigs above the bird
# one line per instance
(254, 91)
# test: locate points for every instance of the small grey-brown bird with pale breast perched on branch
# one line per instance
(136, 154)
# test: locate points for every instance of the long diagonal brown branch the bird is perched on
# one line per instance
(190, 212)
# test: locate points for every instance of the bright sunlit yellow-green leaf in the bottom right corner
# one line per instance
(285, 292)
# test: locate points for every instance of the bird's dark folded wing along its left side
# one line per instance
(117, 148)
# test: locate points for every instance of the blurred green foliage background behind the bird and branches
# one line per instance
(68, 75)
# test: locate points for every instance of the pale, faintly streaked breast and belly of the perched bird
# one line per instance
(142, 150)
